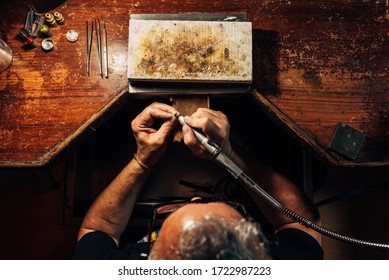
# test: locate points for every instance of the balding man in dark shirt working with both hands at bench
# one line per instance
(197, 230)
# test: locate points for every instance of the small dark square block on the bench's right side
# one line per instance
(347, 141)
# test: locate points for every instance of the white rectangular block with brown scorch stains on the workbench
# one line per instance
(190, 51)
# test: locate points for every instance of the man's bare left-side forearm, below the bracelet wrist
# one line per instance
(112, 209)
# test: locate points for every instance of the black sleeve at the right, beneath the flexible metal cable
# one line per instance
(294, 244)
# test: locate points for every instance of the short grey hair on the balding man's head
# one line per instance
(215, 238)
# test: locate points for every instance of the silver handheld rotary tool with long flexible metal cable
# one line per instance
(238, 173)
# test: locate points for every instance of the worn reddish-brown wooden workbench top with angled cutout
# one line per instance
(316, 64)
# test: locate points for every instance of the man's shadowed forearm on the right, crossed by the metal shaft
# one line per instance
(279, 187)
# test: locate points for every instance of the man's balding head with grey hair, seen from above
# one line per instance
(207, 231)
